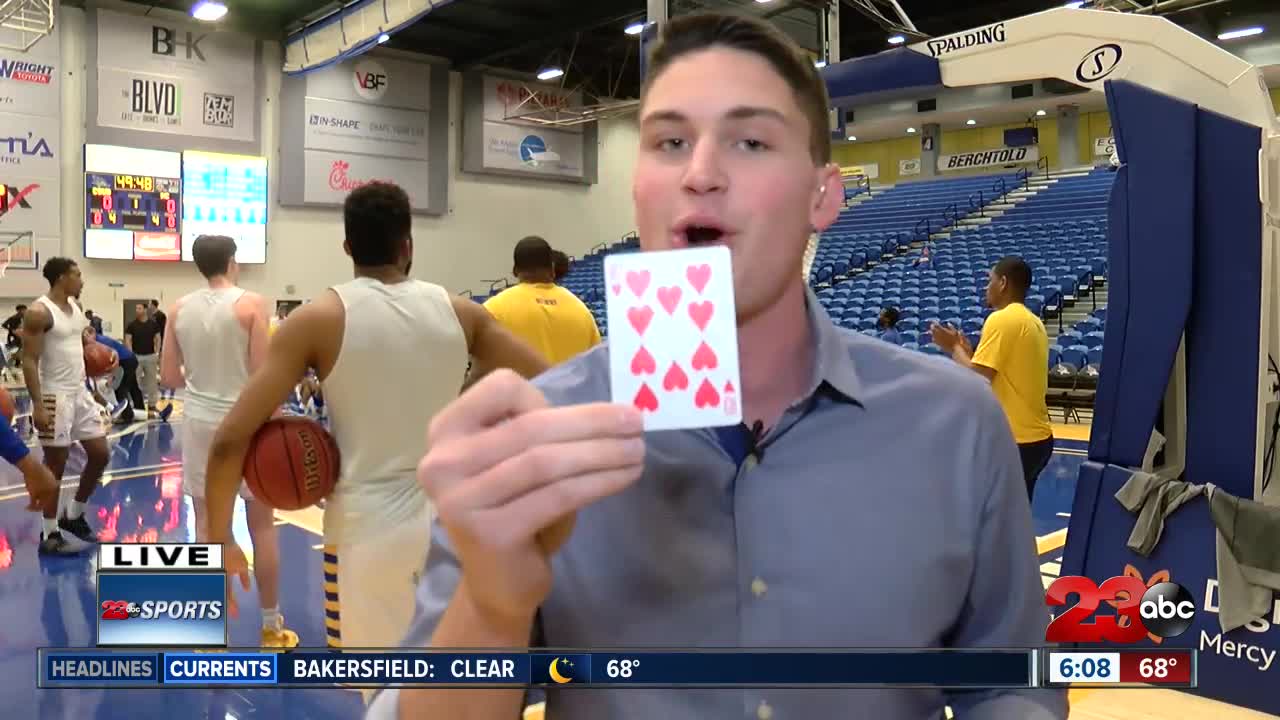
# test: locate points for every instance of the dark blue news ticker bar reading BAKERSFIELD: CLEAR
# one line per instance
(958, 669)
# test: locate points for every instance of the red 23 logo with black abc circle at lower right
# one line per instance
(1164, 610)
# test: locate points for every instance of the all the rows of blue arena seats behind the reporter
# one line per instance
(1060, 233)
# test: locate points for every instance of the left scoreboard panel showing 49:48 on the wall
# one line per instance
(132, 204)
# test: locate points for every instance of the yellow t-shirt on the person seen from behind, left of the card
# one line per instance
(548, 317)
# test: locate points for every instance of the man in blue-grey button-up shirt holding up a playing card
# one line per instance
(819, 523)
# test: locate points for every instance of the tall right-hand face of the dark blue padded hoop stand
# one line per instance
(1223, 332)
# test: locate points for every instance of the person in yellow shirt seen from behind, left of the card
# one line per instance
(542, 313)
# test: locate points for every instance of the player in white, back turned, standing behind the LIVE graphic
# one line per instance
(216, 338)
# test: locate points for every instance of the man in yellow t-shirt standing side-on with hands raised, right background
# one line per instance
(1013, 354)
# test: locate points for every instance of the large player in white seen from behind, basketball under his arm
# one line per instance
(390, 352)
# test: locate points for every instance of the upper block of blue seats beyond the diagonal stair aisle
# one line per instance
(890, 221)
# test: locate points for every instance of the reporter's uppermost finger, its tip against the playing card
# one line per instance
(554, 426)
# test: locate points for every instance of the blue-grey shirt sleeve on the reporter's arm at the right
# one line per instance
(1005, 599)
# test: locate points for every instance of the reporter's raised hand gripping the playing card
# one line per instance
(508, 473)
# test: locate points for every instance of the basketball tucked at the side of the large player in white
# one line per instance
(292, 463)
